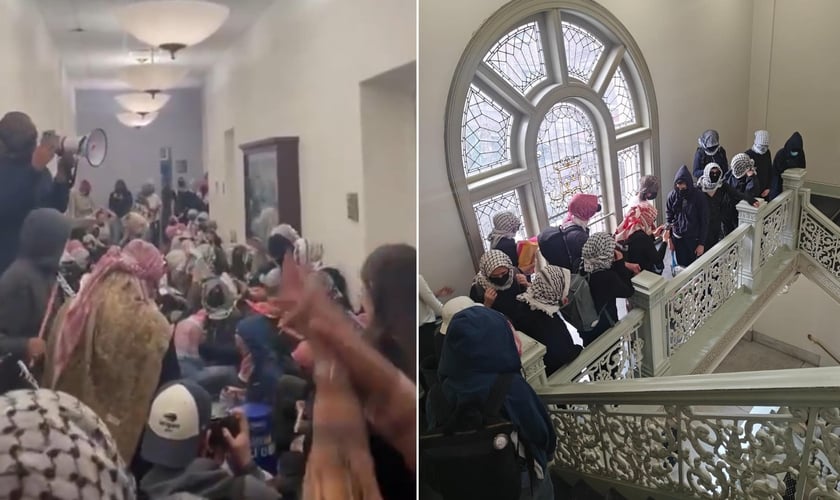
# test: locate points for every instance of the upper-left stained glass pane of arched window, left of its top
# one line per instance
(518, 58)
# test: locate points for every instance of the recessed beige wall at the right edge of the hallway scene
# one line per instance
(389, 154)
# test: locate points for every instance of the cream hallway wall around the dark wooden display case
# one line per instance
(297, 73)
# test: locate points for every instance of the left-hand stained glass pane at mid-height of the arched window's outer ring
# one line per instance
(485, 133)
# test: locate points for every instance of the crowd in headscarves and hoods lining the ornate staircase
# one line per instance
(469, 346)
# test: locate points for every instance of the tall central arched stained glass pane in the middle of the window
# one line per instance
(567, 156)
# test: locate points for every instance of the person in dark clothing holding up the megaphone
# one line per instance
(27, 183)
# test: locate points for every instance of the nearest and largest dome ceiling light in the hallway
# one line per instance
(171, 25)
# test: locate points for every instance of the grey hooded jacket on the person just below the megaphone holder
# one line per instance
(26, 285)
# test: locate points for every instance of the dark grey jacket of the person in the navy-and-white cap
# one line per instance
(205, 479)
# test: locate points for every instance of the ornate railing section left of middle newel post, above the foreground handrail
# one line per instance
(616, 354)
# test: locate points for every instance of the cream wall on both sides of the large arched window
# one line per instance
(698, 54)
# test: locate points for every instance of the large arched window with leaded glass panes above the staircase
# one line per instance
(549, 99)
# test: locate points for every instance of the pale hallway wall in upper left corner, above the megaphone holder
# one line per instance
(33, 78)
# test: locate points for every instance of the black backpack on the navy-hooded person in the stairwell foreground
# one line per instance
(472, 455)
